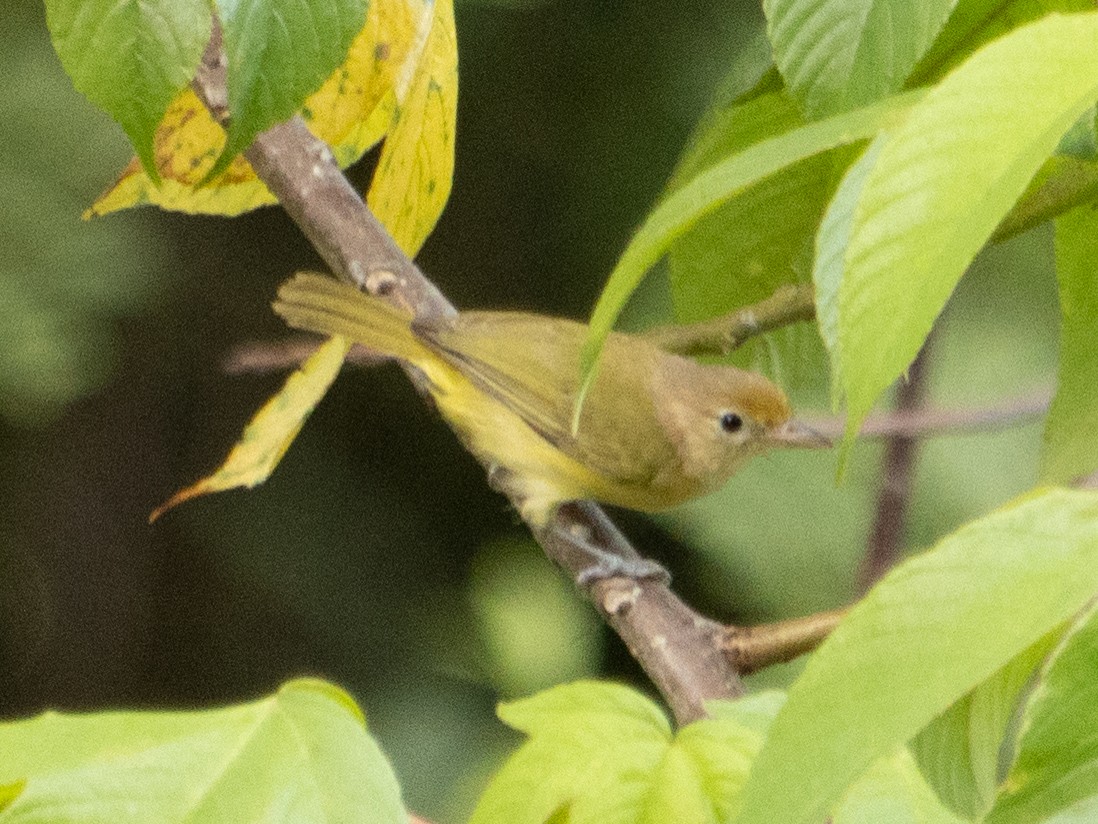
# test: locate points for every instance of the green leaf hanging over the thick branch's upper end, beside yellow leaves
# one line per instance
(279, 52)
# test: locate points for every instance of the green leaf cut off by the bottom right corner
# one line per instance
(1057, 769)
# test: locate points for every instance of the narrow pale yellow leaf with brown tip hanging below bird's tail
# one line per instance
(273, 429)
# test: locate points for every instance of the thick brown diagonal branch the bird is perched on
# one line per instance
(678, 649)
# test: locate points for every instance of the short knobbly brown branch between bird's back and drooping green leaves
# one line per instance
(721, 336)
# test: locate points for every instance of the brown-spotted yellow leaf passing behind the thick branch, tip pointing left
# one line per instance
(351, 113)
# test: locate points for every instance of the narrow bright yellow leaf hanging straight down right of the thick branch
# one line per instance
(417, 169)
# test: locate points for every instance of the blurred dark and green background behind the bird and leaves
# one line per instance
(377, 556)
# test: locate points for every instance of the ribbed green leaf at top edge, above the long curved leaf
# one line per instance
(841, 54)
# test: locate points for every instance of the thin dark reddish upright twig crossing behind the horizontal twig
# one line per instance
(897, 477)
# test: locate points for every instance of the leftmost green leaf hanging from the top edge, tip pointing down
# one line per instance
(131, 58)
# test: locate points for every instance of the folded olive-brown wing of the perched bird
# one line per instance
(532, 365)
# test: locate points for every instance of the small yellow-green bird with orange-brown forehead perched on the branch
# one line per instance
(656, 429)
